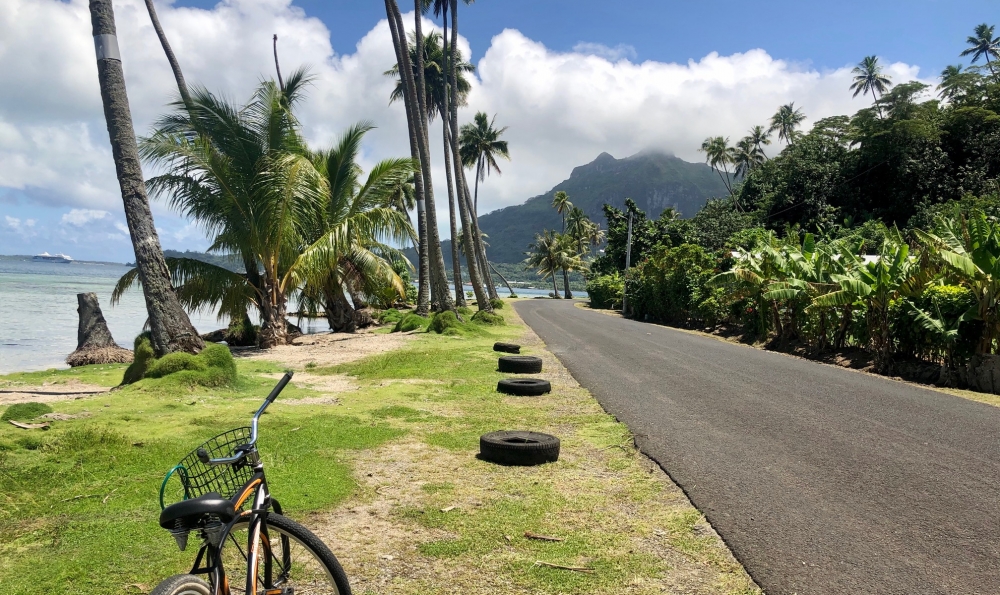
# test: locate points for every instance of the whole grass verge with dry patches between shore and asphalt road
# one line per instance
(78, 507)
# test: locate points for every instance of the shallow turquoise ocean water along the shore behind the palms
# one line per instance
(38, 318)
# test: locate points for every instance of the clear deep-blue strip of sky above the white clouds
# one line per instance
(824, 34)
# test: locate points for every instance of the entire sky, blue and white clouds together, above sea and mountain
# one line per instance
(570, 78)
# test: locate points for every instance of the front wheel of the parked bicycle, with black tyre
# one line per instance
(290, 557)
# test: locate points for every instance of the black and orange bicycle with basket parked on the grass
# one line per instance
(228, 505)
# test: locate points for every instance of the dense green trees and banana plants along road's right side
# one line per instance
(874, 234)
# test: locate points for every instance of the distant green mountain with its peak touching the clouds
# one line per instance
(653, 180)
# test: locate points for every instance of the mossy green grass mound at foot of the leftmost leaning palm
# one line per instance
(213, 367)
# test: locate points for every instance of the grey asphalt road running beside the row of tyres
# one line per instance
(821, 480)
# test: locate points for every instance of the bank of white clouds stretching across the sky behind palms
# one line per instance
(562, 108)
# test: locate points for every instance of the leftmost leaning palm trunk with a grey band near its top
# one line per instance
(170, 326)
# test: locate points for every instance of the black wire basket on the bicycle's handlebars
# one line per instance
(227, 480)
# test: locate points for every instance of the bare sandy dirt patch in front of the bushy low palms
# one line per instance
(329, 349)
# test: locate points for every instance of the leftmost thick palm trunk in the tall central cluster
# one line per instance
(440, 292)
